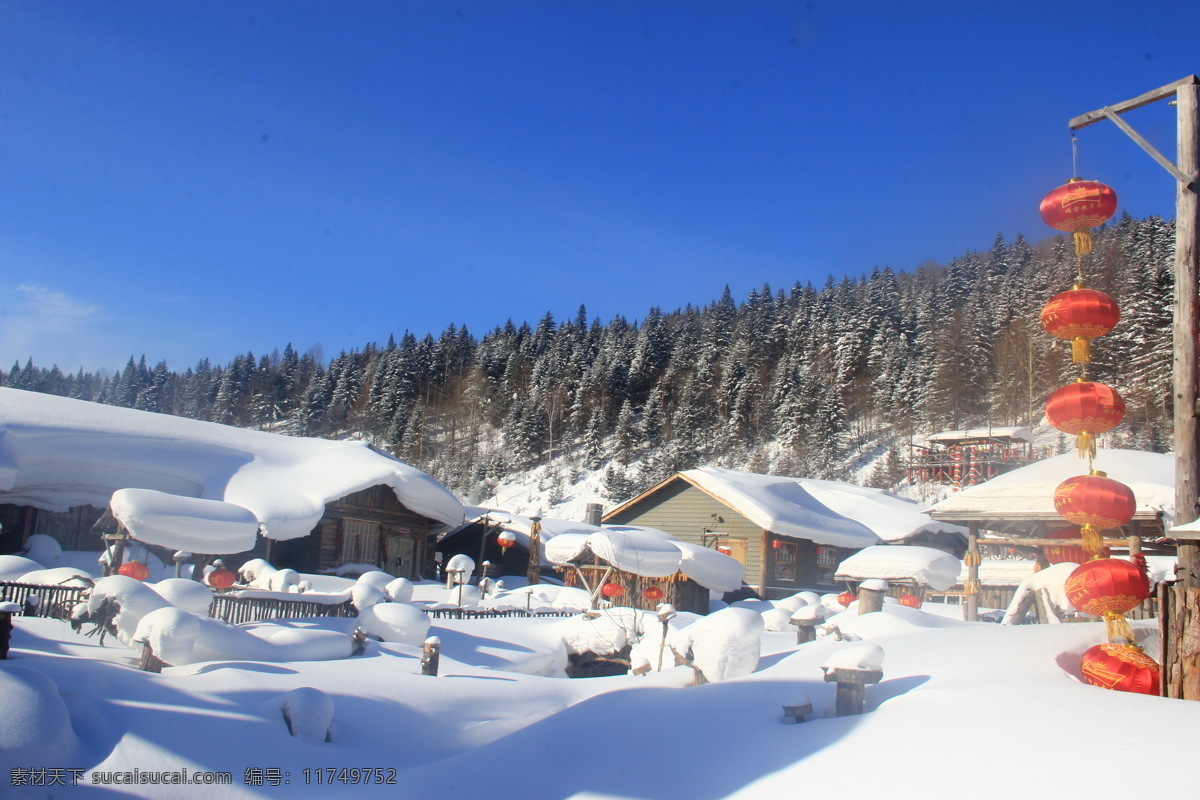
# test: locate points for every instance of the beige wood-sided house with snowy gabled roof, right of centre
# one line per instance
(789, 533)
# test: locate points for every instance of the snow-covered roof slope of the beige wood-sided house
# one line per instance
(827, 513)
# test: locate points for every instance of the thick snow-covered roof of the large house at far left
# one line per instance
(57, 453)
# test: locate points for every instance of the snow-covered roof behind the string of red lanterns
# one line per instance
(1028, 494)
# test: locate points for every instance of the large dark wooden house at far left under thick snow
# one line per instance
(212, 490)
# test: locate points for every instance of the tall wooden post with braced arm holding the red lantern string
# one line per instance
(1180, 605)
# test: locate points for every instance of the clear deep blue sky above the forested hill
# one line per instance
(197, 179)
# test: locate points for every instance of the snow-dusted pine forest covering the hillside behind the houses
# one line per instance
(811, 382)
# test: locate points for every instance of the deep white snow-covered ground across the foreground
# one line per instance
(971, 711)
